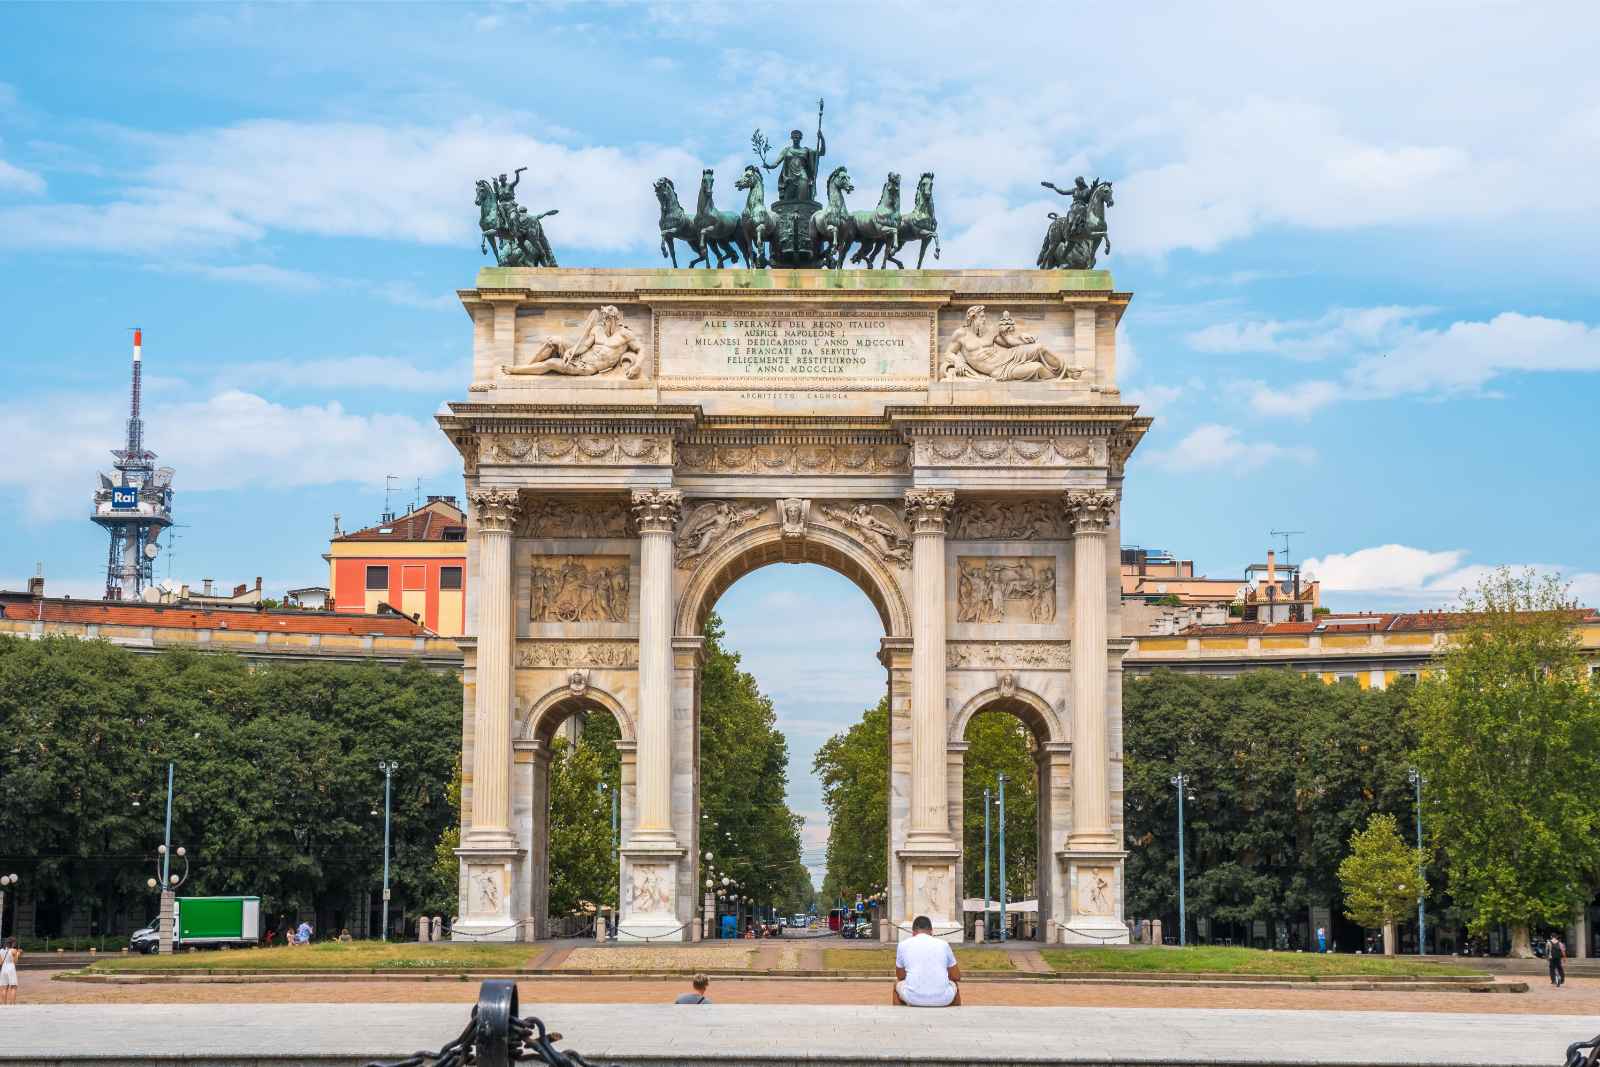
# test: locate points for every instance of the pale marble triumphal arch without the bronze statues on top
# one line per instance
(636, 441)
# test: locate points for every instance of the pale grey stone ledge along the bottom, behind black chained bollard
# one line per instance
(222, 1036)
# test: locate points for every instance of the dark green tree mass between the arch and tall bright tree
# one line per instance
(1282, 769)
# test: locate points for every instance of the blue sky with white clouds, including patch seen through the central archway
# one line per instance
(1362, 246)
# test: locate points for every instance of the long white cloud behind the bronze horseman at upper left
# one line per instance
(356, 180)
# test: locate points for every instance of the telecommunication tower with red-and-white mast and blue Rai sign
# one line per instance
(134, 503)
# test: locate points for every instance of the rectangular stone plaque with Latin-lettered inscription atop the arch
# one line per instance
(802, 346)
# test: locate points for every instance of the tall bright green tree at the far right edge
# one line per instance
(1510, 748)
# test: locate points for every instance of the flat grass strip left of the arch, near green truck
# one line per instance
(359, 956)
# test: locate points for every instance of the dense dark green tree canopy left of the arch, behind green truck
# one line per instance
(278, 783)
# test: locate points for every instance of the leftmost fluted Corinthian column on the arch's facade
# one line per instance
(497, 514)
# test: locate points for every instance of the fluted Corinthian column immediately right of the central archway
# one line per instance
(926, 511)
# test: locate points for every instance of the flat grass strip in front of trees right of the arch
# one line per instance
(1220, 961)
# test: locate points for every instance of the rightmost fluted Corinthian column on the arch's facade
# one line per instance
(1090, 514)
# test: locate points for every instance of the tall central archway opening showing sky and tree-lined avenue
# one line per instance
(793, 665)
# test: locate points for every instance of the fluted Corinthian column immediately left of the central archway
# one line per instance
(658, 516)
